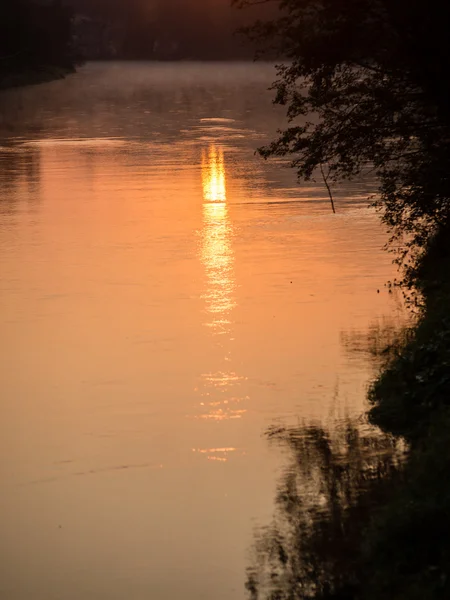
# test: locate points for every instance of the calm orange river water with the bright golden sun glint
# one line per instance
(166, 296)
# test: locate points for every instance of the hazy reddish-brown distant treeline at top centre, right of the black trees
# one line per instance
(161, 29)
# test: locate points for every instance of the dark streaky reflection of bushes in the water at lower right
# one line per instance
(323, 505)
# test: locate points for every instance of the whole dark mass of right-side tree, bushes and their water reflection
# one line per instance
(365, 86)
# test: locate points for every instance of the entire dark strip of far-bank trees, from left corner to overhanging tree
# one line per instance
(42, 40)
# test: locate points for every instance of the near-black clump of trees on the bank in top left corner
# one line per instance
(34, 36)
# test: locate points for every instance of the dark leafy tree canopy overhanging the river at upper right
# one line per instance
(365, 84)
